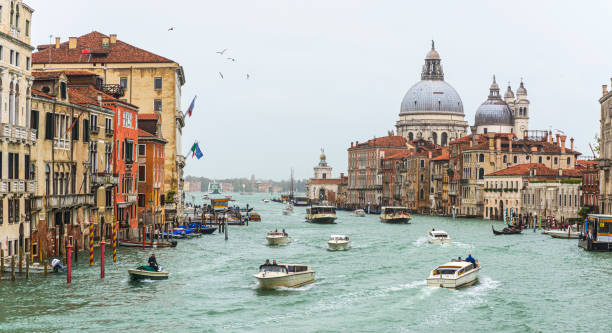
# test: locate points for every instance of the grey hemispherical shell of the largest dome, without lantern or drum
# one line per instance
(432, 96)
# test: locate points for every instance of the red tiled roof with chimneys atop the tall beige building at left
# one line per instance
(118, 52)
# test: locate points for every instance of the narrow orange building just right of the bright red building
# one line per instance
(150, 170)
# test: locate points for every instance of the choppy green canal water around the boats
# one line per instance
(529, 283)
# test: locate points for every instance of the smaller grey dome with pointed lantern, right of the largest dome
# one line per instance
(494, 111)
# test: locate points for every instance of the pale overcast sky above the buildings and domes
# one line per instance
(325, 73)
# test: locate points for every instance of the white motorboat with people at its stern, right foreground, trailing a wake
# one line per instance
(454, 274)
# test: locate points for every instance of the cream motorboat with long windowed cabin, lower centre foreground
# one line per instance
(284, 275)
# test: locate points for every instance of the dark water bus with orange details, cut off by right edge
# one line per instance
(597, 233)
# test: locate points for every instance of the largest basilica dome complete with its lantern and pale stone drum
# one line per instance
(432, 109)
